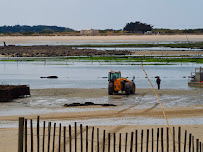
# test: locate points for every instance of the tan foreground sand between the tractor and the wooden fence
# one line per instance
(117, 114)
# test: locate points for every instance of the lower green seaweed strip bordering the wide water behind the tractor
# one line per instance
(155, 59)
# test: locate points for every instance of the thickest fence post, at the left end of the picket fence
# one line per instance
(20, 134)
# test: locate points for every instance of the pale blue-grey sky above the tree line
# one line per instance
(102, 14)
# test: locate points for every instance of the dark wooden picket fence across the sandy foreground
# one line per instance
(91, 139)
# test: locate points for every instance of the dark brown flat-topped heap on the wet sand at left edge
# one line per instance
(9, 92)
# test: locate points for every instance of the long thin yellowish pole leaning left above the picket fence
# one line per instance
(160, 104)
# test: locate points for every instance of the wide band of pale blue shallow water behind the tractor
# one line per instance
(92, 75)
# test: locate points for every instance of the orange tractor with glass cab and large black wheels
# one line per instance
(117, 83)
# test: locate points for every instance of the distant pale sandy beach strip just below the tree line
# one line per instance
(98, 39)
